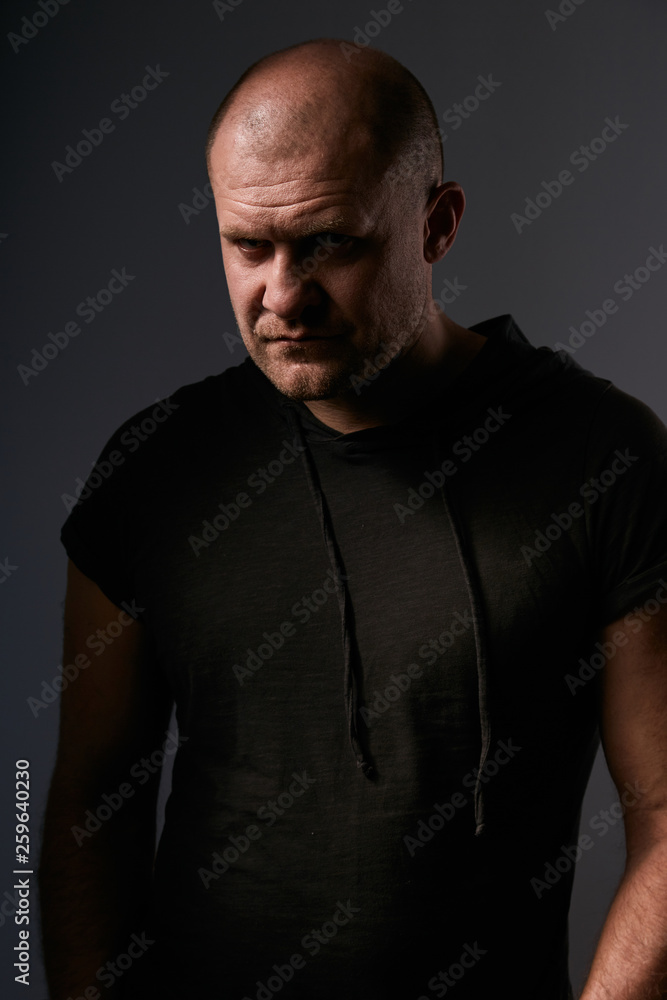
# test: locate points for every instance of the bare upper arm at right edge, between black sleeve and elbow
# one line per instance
(634, 722)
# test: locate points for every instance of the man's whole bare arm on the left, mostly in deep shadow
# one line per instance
(94, 882)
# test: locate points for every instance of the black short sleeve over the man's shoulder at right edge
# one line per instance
(625, 497)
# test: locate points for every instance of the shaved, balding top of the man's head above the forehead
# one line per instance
(312, 96)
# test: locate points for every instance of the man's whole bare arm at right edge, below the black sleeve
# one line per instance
(630, 962)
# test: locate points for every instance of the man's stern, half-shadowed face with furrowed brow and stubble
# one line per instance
(324, 264)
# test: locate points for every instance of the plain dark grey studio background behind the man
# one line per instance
(120, 208)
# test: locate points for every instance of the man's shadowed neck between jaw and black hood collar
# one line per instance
(405, 385)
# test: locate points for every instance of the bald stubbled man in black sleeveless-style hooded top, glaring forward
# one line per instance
(392, 572)
